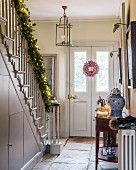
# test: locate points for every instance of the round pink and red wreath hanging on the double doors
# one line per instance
(90, 68)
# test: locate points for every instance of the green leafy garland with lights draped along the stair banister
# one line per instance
(36, 59)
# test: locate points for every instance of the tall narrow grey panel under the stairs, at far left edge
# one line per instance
(4, 84)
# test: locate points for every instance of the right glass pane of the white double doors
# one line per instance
(102, 82)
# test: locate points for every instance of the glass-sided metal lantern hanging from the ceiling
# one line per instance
(63, 31)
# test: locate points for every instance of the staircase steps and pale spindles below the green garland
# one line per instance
(17, 61)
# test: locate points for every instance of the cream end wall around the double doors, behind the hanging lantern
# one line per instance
(83, 31)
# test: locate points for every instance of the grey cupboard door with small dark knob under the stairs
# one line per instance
(16, 140)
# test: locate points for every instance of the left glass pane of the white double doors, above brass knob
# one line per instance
(79, 77)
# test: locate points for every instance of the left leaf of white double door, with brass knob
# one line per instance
(80, 117)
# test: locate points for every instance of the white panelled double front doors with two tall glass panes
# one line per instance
(85, 91)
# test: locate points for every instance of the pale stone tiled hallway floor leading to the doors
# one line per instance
(77, 154)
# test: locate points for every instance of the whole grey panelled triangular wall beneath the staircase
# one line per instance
(17, 142)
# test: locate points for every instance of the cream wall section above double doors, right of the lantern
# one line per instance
(94, 31)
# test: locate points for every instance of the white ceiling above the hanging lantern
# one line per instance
(77, 9)
